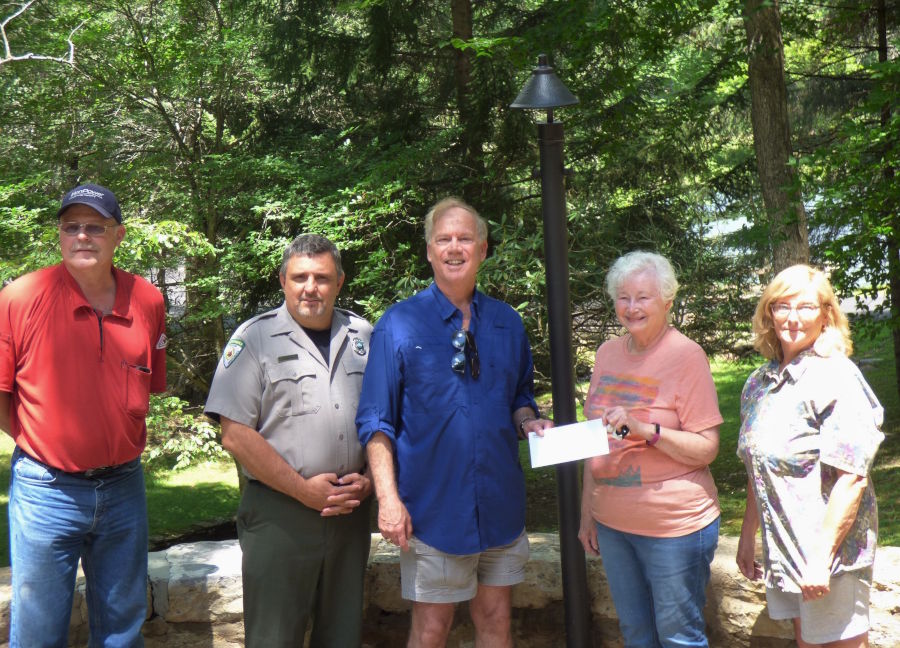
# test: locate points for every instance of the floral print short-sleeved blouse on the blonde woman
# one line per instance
(799, 427)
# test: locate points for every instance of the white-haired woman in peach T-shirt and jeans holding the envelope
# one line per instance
(650, 507)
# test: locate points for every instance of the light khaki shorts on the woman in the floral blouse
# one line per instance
(841, 614)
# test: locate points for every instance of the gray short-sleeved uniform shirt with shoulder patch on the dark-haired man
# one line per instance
(272, 378)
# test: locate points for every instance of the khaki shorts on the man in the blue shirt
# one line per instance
(429, 575)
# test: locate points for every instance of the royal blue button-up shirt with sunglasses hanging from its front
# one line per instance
(456, 448)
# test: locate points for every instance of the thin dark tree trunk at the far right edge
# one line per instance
(891, 215)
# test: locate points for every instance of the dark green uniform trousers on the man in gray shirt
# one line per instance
(299, 567)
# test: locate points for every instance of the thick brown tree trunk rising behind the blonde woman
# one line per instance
(772, 135)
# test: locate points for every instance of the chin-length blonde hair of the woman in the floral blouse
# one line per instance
(835, 335)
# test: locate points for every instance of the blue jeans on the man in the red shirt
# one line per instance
(55, 518)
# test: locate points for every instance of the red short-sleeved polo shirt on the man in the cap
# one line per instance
(80, 383)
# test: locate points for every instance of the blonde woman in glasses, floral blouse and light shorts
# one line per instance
(809, 433)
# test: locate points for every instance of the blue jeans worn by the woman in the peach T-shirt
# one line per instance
(659, 585)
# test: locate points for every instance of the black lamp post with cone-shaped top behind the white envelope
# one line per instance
(545, 91)
